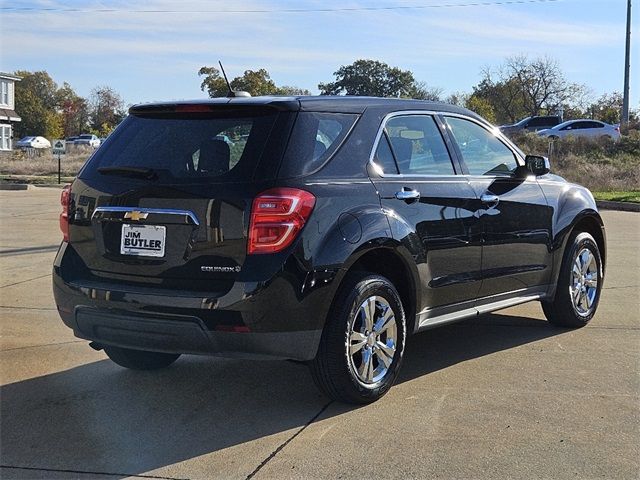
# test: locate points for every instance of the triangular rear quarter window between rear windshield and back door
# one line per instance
(315, 137)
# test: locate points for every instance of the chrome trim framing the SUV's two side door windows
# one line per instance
(517, 153)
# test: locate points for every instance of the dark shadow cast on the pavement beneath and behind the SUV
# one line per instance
(98, 417)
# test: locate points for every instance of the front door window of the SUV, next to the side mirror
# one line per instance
(482, 152)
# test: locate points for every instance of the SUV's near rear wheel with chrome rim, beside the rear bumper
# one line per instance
(362, 344)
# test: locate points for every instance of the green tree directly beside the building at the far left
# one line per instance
(35, 97)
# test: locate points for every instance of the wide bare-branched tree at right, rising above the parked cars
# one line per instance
(521, 87)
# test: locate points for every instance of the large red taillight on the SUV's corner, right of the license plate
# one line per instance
(277, 216)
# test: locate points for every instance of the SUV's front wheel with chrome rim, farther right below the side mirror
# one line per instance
(579, 283)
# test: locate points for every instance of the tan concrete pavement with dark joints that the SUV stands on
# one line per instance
(504, 396)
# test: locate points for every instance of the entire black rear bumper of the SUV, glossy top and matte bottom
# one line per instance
(281, 318)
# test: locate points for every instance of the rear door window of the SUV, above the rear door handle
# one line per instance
(418, 146)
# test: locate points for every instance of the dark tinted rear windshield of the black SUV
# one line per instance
(185, 147)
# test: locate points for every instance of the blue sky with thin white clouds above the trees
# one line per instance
(152, 50)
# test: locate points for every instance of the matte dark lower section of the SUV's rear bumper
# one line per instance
(181, 334)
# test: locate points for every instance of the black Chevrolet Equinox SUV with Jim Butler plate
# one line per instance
(317, 229)
